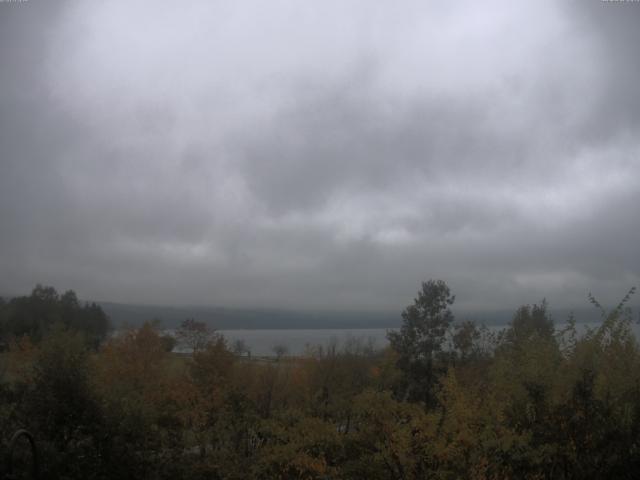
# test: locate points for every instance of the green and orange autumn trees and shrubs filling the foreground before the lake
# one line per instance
(446, 400)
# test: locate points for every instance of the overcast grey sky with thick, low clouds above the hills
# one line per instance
(320, 154)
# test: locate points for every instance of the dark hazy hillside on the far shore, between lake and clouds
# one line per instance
(229, 319)
